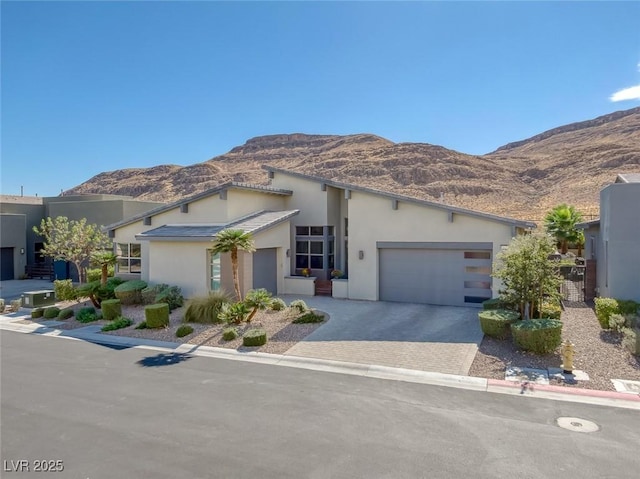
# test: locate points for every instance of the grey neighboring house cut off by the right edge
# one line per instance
(613, 241)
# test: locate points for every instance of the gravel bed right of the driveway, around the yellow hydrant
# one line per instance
(598, 352)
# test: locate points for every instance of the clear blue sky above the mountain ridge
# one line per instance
(89, 86)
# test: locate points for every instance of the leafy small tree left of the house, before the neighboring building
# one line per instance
(71, 240)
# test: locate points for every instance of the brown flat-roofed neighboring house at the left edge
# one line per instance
(20, 246)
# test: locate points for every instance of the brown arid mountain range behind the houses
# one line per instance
(522, 179)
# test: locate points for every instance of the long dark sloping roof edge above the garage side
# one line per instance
(408, 199)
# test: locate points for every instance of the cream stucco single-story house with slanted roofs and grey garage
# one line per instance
(391, 247)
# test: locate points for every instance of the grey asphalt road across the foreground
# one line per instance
(98, 412)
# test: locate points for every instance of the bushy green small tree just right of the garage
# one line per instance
(527, 274)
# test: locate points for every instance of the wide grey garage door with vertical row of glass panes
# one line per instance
(451, 274)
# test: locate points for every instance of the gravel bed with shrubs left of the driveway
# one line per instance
(281, 333)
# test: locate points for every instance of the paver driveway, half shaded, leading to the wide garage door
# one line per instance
(441, 339)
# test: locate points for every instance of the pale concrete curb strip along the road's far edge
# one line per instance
(495, 386)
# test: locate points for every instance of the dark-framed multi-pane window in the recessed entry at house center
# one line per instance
(314, 248)
